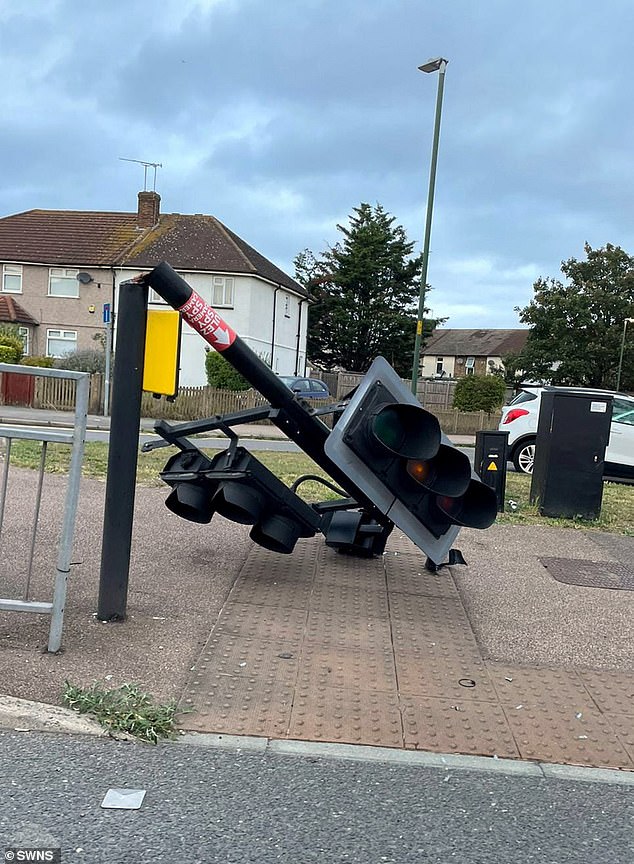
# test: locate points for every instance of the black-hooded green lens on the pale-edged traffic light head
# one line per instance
(407, 430)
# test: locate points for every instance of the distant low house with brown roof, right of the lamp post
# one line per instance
(456, 353)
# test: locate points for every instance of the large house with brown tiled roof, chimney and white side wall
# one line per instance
(59, 268)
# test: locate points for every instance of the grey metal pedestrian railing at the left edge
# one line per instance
(76, 438)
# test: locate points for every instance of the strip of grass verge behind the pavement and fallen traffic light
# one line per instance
(617, 513)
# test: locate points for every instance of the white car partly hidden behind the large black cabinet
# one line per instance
(519, 419)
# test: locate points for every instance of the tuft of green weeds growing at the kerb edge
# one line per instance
(124, 709)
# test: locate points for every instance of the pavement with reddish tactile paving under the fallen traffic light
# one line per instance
(499, 658)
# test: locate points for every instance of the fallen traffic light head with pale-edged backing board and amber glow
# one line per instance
(394, 451)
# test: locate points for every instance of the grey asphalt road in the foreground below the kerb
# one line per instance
(208, 805)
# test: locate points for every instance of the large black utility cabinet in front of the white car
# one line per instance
(572, 433)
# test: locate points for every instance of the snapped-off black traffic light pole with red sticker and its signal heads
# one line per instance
(385, 451)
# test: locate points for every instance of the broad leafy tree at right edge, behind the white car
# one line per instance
(577, 326)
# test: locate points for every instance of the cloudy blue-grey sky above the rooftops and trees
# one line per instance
(280, 116)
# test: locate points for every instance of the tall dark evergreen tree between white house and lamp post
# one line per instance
(366, 289)
